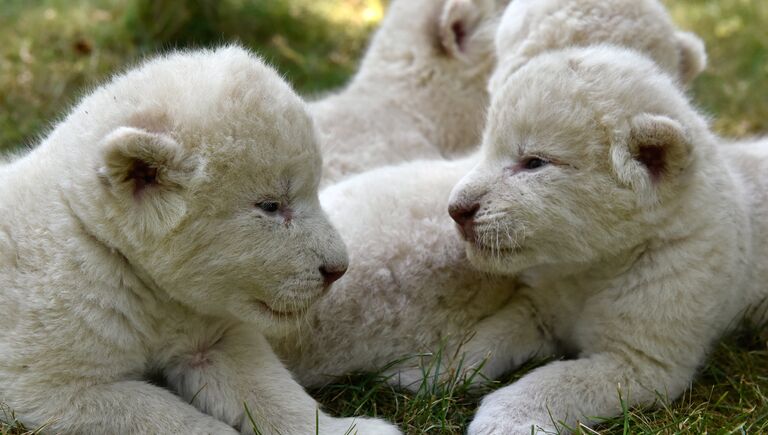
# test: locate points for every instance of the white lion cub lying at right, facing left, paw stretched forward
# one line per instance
(638, 242)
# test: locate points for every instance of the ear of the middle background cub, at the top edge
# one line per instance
(458, 21)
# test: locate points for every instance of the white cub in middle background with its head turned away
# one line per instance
(420, 91)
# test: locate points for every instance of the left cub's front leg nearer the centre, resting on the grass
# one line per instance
(240, 368)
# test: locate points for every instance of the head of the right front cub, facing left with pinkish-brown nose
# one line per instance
(578, 164)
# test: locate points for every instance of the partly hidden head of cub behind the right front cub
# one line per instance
(532, 27)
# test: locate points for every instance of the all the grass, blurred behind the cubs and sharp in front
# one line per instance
(54, 50)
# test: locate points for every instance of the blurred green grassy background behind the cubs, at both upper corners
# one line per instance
(54, 50)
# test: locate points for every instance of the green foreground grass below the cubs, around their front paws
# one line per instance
(729, 396)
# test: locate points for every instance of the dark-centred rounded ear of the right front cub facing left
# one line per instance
(660, 144)
